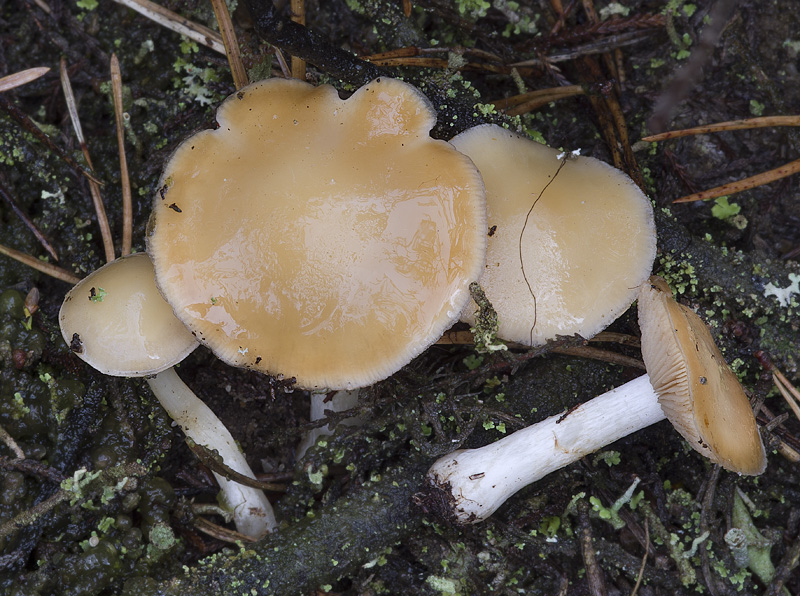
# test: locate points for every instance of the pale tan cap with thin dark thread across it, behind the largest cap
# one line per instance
(588, 244)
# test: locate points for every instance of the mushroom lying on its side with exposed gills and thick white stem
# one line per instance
(687, 380)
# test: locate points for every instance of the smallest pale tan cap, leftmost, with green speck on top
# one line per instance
(116, 321)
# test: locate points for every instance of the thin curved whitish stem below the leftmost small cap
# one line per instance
(252, 512)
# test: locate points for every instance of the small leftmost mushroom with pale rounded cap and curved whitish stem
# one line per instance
(117, 322)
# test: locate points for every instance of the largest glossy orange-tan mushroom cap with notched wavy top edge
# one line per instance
(326, 239)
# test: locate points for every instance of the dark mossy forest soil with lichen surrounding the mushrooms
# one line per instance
(355, 517)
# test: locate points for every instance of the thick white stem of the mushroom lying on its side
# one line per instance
(480, 480)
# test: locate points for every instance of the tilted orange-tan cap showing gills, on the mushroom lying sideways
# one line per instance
(697, 390)
